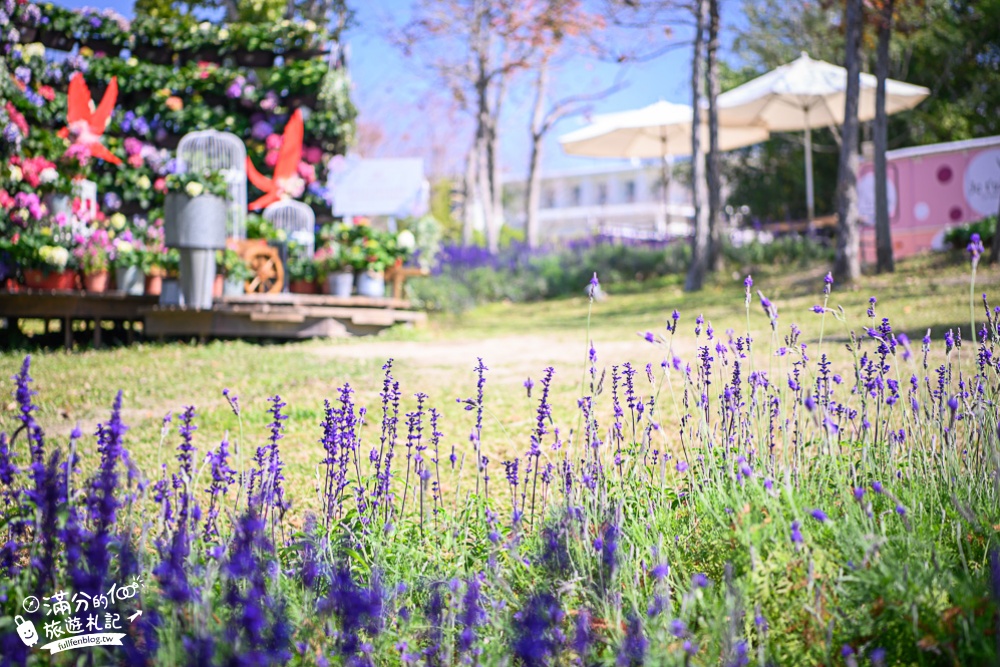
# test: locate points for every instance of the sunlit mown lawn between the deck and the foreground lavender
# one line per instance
(516, 341)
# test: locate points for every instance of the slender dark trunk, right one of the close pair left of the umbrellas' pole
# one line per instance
(713, 166)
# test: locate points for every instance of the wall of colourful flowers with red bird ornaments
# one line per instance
(126, 92)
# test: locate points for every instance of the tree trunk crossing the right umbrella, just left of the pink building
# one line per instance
(847, 262)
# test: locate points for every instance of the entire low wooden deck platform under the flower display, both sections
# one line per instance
(293, 316)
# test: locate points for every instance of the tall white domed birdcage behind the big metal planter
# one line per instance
(220, 151)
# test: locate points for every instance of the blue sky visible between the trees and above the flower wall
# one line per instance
(400, 98)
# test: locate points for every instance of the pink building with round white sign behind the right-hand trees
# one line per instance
(931, 189)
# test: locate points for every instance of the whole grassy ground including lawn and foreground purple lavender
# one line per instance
(741, 491)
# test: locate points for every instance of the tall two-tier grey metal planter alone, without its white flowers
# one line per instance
(198, 227)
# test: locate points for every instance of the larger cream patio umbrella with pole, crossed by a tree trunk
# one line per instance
(807, 94)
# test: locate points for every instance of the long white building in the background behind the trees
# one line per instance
(616, 201)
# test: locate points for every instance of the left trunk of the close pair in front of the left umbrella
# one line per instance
(699, 242)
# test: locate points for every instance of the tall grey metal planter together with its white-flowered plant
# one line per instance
(195, 223)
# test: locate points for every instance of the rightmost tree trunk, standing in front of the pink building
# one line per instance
(883, 234)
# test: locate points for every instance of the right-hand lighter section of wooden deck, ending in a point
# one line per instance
(281, 316)
